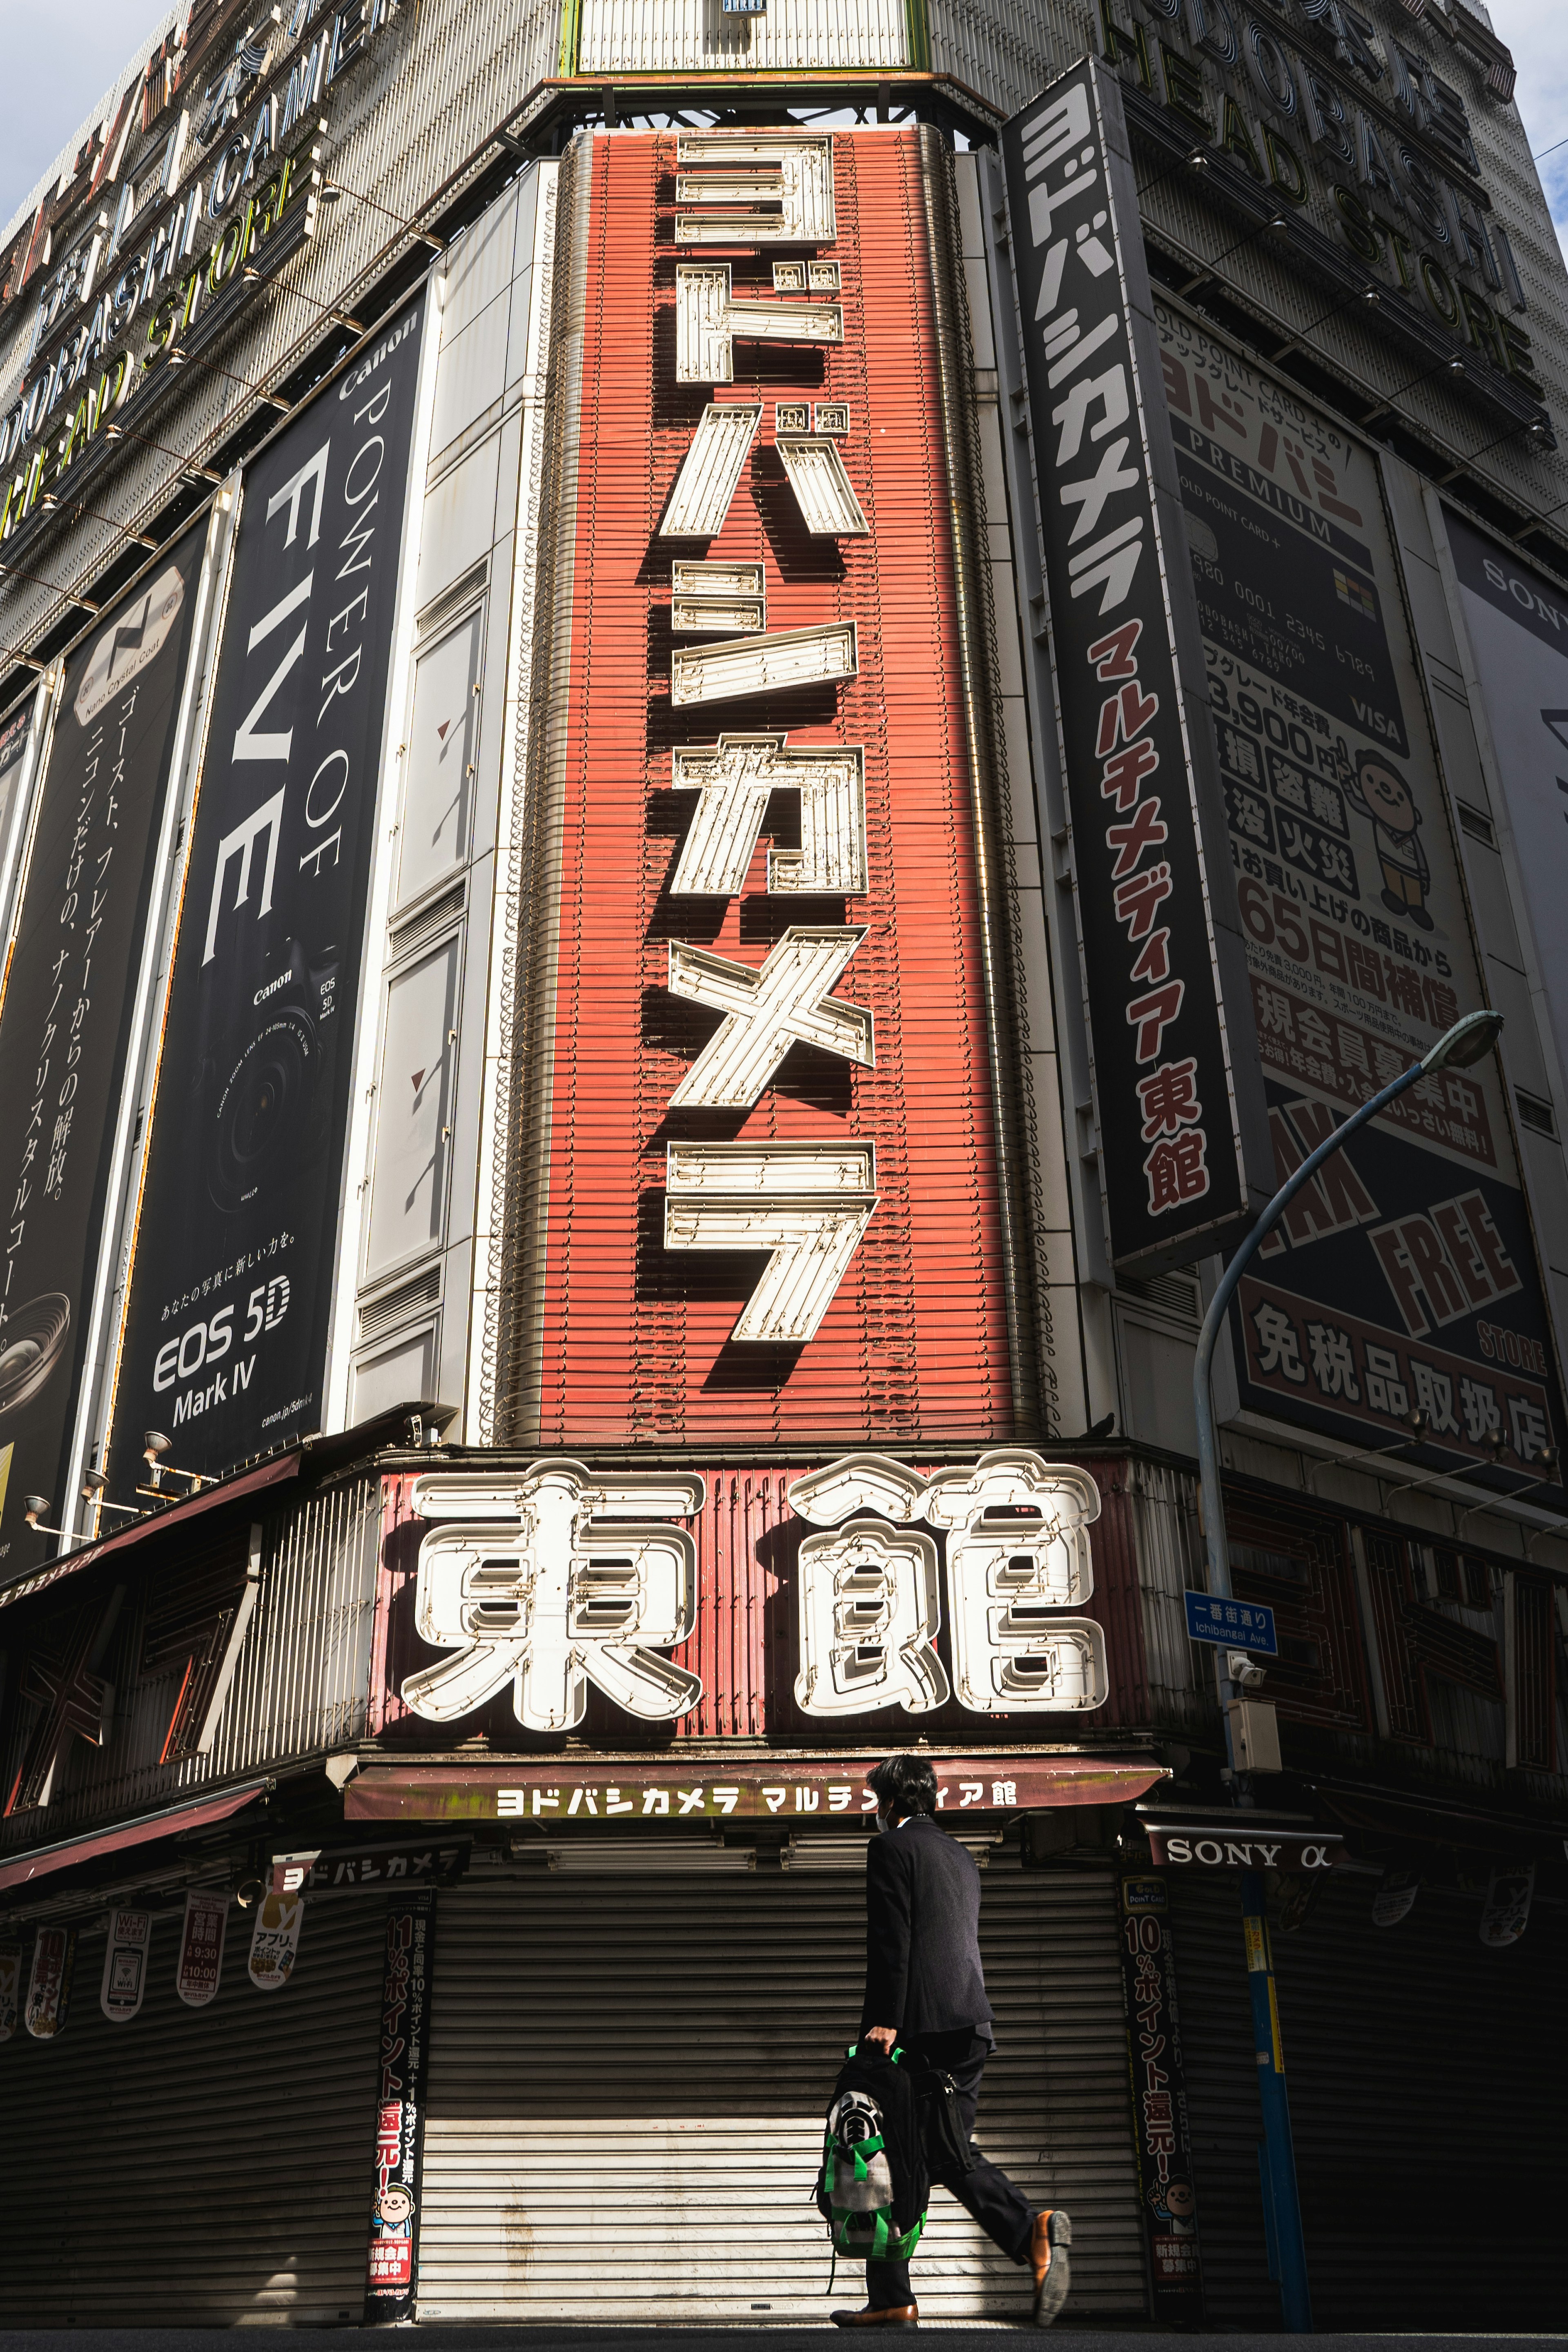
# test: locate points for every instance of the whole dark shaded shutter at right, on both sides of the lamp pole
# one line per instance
(1426, 2087)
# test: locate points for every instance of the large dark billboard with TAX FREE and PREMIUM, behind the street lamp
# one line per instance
(1405, 1278)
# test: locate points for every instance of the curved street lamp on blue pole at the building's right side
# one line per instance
(1456, 1050)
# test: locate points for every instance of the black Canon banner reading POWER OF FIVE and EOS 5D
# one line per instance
(232, 1283)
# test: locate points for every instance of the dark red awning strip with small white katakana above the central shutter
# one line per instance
(713, 1789)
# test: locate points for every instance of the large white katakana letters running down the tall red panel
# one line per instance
(808, 1203)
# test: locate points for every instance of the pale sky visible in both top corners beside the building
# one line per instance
(62, 55)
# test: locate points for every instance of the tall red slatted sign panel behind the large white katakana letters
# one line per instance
(638, 1337)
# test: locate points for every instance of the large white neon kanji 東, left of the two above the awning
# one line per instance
(554, 1582)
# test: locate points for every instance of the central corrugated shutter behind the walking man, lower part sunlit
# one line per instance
(629, 2080)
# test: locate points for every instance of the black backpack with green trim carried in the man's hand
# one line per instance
(873, 2186)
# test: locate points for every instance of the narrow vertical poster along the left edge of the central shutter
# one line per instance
(401, 2109)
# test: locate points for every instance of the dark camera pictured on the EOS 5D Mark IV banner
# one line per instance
(264, 1081)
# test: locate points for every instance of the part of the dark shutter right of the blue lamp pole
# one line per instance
(1428, 2090)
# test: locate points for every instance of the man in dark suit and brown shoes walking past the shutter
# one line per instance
(925, 1989)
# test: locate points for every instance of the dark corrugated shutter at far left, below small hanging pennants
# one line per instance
(199, 2165)
